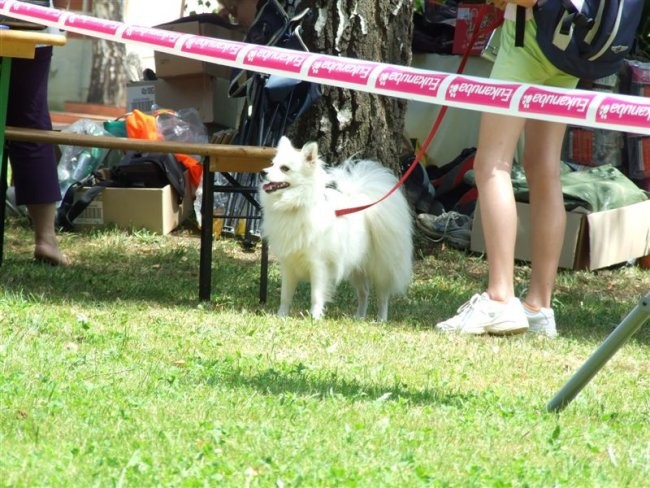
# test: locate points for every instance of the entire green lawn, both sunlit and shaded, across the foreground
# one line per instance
(112, 373)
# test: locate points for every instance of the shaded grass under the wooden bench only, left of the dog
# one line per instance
(163, 271)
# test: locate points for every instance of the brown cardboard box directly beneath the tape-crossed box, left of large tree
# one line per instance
(208, 95)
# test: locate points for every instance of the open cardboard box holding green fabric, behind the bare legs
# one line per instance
(592, 240)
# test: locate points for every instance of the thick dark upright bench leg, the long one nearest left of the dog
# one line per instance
(205, 259)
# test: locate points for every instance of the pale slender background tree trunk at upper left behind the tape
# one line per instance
(108, 72)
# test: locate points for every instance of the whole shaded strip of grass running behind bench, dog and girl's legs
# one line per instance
(111, 265)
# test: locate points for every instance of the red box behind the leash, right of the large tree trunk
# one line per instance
(467, 21)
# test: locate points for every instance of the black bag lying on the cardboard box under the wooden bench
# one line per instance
(135, 170)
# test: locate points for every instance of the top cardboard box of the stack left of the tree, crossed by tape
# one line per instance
(171, 66)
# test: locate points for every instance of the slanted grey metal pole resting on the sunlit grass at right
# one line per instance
(626, 329)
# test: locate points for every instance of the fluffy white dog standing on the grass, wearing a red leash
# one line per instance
(370, 248)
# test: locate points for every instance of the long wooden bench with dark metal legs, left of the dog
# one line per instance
(218, 158)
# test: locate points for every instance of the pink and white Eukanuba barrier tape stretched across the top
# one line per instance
(598, 110)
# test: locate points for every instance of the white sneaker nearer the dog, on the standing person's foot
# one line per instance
(481, 315)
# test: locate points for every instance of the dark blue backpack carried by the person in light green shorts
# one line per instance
(589, 42)
